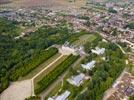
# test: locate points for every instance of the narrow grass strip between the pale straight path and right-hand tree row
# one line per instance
(37, 79)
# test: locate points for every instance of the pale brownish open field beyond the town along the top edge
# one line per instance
(47, 3)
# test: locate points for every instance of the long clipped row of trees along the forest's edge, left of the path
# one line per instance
(33, 62)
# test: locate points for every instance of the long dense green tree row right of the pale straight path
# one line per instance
(53, 75)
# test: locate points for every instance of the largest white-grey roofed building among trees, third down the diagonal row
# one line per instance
(76, 80)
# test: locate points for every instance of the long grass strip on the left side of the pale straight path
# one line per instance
(40, 67)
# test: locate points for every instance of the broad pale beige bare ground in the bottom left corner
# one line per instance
(17, 91)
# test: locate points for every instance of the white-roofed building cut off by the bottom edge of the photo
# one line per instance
(63, 96)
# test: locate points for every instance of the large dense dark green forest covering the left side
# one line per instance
(17, 53)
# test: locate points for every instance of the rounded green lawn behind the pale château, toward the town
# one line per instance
(85, 38)
